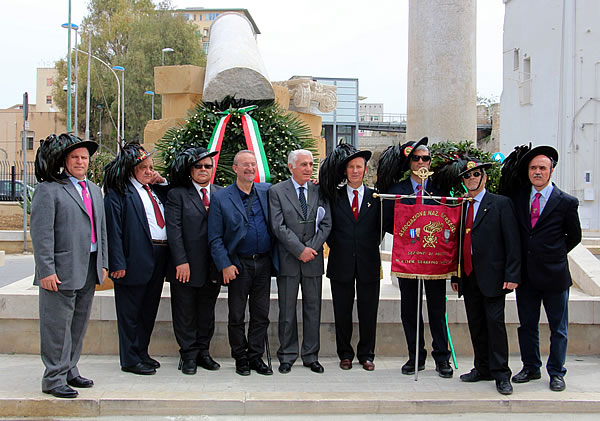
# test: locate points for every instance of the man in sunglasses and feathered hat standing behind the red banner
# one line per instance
(415, 155)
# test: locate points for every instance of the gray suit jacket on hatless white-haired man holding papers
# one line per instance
(293, 232)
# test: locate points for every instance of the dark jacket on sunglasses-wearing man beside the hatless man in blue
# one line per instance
(187, 232)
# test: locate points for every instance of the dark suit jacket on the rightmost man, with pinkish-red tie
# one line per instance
(545, 247)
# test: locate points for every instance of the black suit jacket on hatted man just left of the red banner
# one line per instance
(354, 245)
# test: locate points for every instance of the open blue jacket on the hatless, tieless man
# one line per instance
(228, 224)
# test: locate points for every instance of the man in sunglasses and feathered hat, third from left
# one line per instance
(195, 282)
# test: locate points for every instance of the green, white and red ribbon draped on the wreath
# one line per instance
(253, 141)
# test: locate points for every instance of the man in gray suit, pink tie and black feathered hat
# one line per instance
(68, 231)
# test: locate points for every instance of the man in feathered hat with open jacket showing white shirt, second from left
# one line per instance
(138, 251)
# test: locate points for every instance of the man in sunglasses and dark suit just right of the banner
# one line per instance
(491, 263)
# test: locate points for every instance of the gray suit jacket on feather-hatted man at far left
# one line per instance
(61, 232)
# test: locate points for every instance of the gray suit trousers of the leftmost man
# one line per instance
(64, 318)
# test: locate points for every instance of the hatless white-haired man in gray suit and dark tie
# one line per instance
(301, 222)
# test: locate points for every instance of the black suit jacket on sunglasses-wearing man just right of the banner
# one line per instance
(496, 245)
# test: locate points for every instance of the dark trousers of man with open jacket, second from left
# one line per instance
(137, 306)
